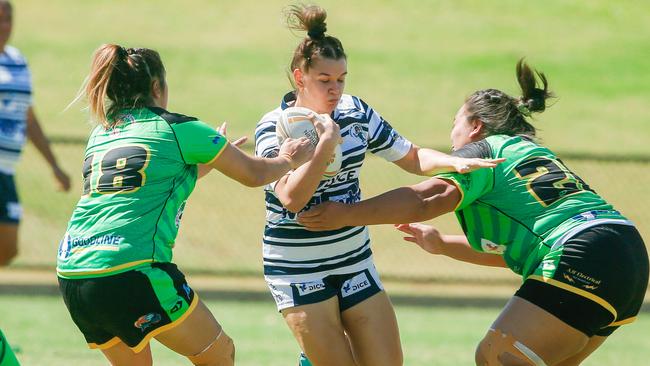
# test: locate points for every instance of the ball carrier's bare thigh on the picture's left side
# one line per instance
(319, 331)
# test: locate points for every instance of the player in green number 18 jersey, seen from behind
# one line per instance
(115, 261)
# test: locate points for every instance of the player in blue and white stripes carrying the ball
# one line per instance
(325, 284)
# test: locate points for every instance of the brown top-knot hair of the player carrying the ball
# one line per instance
(317, 44)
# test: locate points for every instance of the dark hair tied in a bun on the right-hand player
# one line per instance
(502, 114)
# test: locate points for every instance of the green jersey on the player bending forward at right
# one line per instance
(526, 205)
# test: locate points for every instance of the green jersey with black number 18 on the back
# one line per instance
(136, 179)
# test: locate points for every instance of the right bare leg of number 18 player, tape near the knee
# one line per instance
(201, 339)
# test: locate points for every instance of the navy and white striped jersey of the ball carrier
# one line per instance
(289, 249)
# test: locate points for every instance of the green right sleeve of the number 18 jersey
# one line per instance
(198, 142)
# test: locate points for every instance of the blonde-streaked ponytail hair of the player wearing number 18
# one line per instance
(121, 78)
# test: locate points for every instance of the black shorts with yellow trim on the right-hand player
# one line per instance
(599, 283)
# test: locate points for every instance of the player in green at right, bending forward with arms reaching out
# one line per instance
(584, 265)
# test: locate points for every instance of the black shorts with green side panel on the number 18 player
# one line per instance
(132, 306)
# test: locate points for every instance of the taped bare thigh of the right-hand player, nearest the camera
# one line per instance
(525, 334)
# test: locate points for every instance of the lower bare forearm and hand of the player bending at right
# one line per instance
(453, 246)
